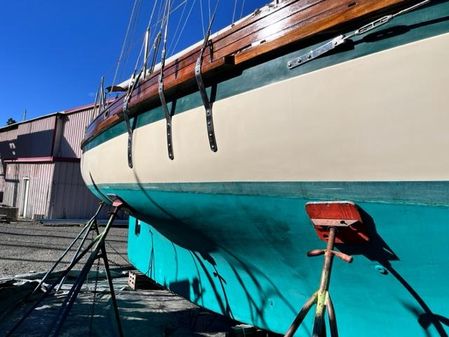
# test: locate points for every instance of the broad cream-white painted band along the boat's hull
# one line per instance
(382, 117)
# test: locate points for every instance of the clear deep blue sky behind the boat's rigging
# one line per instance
(53, 53)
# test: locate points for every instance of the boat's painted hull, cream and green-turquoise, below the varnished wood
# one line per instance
(228, 228)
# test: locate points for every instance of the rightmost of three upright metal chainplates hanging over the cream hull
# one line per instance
(202, 89)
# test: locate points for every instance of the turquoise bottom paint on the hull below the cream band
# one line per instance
(242, 252)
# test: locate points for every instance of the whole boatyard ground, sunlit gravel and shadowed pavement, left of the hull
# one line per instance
(29, 248)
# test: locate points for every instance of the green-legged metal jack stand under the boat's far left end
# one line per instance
(97, 245)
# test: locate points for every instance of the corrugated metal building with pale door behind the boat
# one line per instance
(40, 166)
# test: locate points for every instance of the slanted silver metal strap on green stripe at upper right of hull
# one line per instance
(336, 41)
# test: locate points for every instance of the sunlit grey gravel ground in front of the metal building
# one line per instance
(29, 247)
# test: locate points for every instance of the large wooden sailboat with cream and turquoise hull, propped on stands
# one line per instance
(241, 156)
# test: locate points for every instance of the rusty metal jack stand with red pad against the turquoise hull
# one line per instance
(334, 222)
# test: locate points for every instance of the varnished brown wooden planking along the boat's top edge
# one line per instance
(265, 31)
